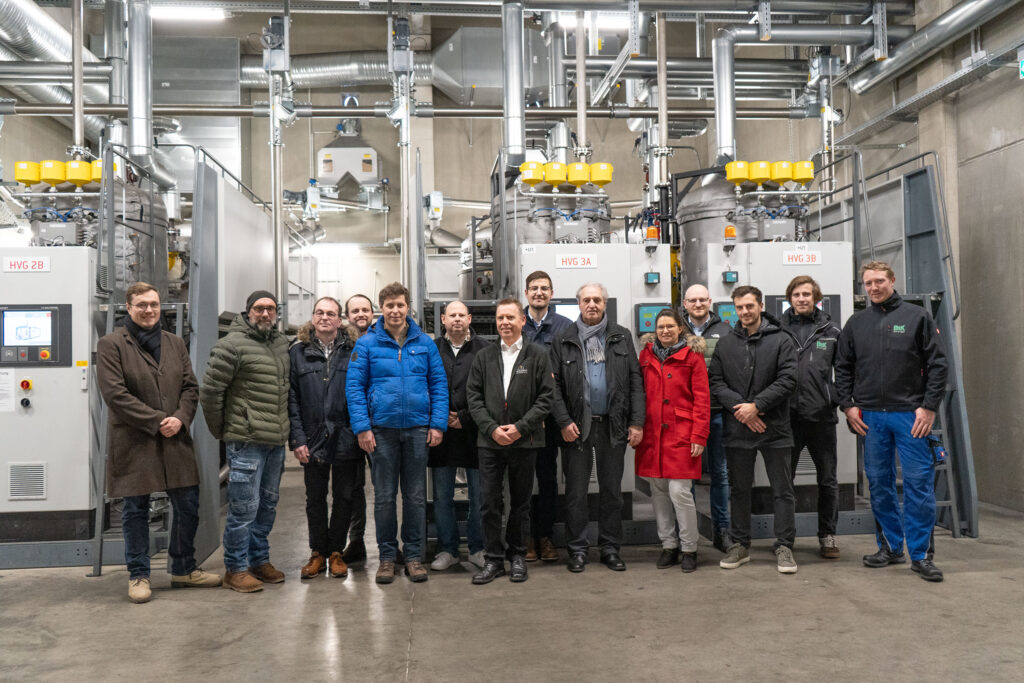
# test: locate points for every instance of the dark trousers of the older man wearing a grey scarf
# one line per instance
(578, 462)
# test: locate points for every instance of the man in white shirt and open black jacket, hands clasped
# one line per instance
(509, 393)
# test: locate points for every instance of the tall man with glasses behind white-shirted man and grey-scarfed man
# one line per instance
(543, 325)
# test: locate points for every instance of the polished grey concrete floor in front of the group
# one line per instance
(833, 621)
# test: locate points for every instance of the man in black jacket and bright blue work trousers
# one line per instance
(890, 378)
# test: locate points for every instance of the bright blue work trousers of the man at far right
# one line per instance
(889, 434)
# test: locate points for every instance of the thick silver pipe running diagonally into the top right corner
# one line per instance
(938, 34)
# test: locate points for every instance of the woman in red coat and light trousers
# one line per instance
(678, 422)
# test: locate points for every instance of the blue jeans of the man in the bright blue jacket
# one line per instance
(401, 459)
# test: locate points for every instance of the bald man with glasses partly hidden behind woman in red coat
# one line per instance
(705, 323)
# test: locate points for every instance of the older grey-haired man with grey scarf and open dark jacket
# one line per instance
(600, 407)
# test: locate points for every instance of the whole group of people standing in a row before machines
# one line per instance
(350, 389)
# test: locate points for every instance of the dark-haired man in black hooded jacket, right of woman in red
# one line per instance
(753, 373)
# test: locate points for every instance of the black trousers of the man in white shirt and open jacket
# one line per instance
(520, 463)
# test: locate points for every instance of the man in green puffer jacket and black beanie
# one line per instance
(245, 403)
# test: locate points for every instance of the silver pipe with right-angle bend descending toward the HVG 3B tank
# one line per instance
(723, 54)
